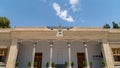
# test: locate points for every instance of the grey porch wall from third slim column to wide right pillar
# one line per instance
(93, 49)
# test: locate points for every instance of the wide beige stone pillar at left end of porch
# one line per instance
(12, 56)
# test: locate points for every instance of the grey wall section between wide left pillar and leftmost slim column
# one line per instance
(24, 54)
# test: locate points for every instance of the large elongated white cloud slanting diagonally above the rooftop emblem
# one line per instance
(63, 14)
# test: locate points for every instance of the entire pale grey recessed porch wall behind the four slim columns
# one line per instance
(60, 52)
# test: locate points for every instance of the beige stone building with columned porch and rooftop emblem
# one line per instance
(59, 45)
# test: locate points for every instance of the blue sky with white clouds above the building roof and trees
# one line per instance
(83, 13)
